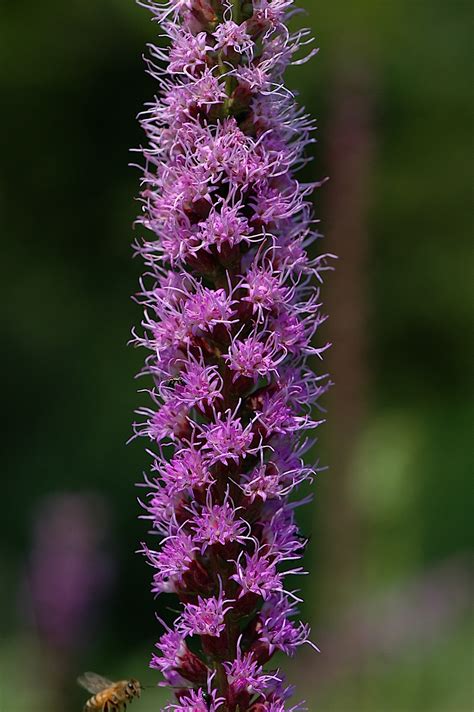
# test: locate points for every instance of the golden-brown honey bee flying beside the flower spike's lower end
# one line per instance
(108, 696)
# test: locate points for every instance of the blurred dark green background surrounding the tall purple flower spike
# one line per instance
(391, 531)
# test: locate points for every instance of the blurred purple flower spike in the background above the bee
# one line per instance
(69, 569)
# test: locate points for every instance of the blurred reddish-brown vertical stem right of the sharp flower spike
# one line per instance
(350, 156)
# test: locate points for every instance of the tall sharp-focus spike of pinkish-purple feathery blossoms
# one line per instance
(231, 308)
